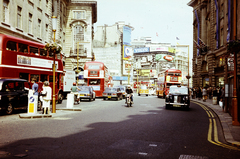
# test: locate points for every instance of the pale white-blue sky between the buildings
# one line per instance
(163, 20)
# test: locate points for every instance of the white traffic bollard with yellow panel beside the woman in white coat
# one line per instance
(32, 102)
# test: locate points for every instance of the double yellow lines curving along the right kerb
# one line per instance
(212, 130)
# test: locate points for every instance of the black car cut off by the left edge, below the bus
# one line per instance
(13, 94)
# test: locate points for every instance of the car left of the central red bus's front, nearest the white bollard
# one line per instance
(86, 93)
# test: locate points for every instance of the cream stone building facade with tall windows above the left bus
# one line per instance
(32, 20)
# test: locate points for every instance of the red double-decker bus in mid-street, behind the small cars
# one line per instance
(96, 75)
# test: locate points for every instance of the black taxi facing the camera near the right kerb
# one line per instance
(178, 97)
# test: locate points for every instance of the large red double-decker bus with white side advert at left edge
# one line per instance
(24, 59)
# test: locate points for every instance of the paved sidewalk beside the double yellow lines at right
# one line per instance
(231, 133)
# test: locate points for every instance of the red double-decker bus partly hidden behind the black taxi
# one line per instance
(166, 79)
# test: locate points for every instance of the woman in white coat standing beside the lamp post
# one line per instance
(46, 97)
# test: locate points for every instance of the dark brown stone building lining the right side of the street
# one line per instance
(214, 26)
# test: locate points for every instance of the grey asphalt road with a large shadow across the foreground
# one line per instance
(109, 129)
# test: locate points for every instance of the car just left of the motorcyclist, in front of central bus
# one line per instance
(112, 92)
